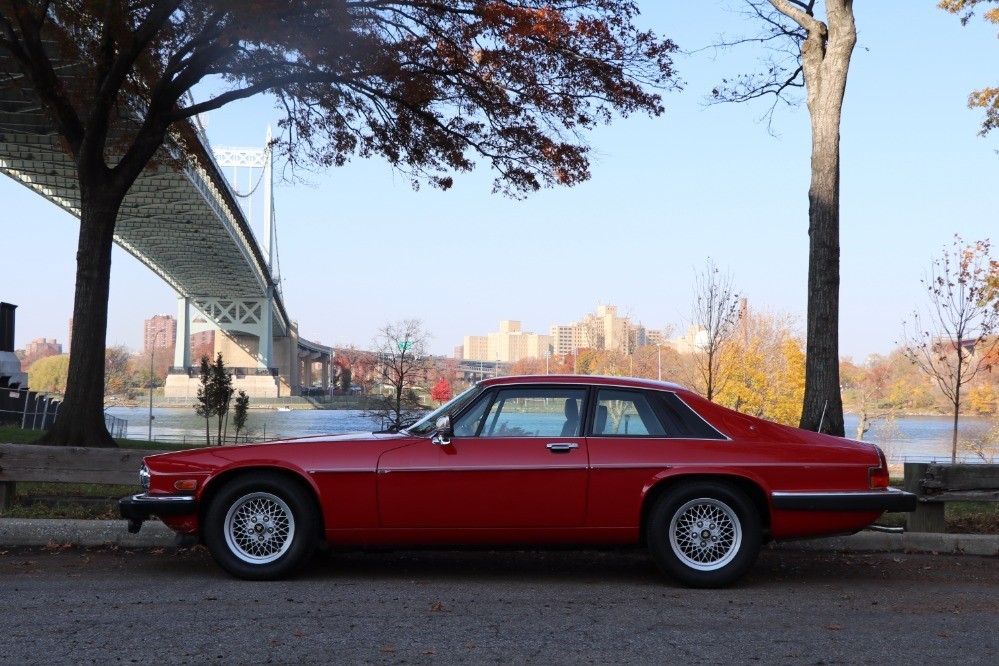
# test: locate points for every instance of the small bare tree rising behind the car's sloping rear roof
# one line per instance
(715, 312)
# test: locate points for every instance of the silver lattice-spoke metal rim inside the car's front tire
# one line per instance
(259, 528)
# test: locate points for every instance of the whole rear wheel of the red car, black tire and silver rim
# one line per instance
(704, 534)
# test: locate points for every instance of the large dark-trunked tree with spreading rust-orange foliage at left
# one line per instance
(429, 85)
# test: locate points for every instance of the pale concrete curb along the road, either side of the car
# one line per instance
(95, 533)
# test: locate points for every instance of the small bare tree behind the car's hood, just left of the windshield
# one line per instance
(402, 364)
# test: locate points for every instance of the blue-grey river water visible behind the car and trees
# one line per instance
(913, 438)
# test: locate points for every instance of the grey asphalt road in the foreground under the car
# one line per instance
(107, 606)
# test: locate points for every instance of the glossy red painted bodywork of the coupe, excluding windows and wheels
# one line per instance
(400, 489)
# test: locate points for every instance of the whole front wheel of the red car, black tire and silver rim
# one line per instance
(261, 526)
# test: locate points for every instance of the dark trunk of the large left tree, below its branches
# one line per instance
(81, 416)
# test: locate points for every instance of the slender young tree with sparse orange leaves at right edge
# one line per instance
(953, 338)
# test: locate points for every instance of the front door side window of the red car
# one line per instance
(533, 412)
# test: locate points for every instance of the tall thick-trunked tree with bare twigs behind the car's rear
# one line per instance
(806, 52)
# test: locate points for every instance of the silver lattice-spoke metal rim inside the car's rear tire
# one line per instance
(705, 534)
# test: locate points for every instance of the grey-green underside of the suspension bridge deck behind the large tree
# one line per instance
(180, 222)
